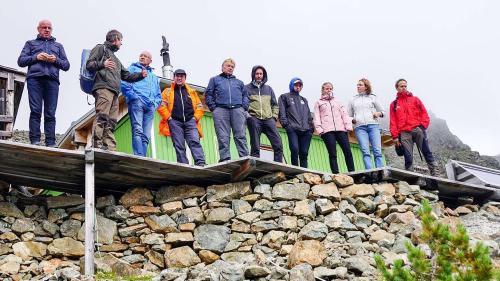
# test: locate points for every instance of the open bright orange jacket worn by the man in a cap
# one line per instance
(165, 109)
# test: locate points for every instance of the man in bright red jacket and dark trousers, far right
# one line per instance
(409, 120)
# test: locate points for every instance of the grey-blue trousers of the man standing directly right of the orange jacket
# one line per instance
(225, 120)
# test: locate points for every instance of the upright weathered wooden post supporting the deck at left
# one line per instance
(89, 212)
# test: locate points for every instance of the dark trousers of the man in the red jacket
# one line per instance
(416, 136)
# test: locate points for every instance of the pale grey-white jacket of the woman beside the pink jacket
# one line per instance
(361, 108)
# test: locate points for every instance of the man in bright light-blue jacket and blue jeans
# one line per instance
(143, 98)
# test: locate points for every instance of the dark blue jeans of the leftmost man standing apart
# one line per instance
(43, 92)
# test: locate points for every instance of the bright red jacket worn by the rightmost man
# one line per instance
(409, 113)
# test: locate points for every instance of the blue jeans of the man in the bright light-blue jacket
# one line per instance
(141, 119)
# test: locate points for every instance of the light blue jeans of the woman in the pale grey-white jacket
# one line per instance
(367, 134)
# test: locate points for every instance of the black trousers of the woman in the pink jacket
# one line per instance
(331, 139)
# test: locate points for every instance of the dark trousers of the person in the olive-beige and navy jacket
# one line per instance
(267, 126)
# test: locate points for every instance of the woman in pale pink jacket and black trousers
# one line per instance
(332, 122)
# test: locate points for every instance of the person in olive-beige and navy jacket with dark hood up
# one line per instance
(263, 112)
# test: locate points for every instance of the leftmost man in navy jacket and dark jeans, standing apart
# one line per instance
(44, 57)
